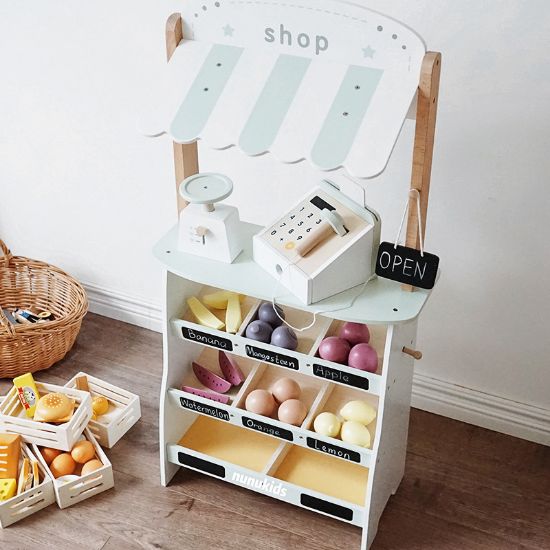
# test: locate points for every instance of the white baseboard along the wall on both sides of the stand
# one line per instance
(430, 394)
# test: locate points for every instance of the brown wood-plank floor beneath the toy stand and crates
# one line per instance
(465, 488)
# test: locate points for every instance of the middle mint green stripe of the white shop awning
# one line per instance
(272, 105)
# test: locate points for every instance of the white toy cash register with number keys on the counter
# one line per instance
(323, 246)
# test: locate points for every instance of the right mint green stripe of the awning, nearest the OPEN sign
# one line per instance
(345, 117)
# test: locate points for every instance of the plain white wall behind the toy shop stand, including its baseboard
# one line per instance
(80, 188)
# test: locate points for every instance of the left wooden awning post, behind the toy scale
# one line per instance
(186, 157)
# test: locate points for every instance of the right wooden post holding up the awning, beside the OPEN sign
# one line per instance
(426, 114)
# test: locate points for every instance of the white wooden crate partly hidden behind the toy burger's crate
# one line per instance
(124, 410)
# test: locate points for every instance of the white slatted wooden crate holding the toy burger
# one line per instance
(62, 436)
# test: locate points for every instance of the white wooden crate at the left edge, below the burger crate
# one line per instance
(29, 502)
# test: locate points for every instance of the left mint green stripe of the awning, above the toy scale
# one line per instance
(204, 93)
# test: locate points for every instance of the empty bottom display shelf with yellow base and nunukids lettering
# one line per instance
(243, 458)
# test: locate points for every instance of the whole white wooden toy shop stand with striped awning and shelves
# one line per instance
(333, 83)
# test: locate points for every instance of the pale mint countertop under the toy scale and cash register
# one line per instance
(381, 302)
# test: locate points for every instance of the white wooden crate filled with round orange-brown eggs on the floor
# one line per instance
(84, 487)
